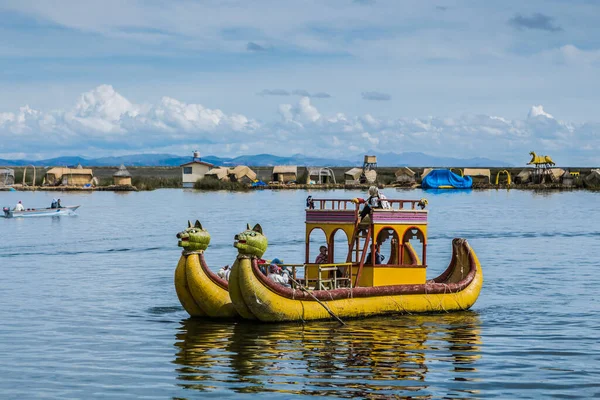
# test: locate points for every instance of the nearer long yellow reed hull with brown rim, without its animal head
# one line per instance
(456, 289)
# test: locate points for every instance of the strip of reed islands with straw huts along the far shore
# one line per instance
(542, 174)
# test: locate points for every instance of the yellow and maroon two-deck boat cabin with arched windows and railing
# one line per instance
(387, 247)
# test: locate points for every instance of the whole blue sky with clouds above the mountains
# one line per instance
(327, 78)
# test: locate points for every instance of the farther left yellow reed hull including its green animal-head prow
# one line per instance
(201, 292)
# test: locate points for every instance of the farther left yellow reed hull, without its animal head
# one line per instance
(209, 292)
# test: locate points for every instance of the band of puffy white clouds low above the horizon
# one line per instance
(103, 121)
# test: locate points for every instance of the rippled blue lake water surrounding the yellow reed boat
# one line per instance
(88, 307)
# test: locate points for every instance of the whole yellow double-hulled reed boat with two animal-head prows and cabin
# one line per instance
(360, 287)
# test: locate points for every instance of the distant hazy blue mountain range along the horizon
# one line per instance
(169, 160)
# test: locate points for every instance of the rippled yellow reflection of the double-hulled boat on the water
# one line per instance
(374, 358)
